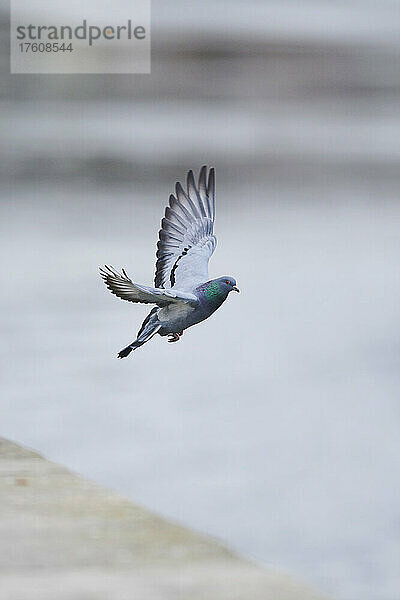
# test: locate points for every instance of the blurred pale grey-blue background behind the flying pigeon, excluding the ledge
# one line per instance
(274, 426)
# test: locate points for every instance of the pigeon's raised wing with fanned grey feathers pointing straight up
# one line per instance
(186, 239)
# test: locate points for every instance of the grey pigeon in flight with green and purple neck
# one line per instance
(183, 293)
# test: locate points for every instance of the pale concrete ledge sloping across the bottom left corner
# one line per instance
(63, 537)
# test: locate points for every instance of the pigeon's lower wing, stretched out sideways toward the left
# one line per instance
(123, 287)
